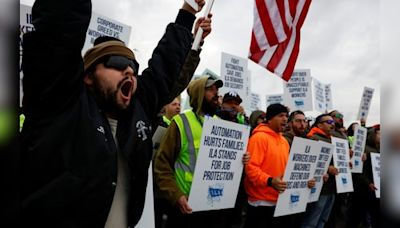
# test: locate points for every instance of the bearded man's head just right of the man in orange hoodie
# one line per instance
(296, 126)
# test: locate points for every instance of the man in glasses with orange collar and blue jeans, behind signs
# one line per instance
(317, 213)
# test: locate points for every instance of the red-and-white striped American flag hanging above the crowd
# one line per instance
(275, 38)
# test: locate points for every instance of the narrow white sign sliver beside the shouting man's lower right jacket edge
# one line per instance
(147, 219)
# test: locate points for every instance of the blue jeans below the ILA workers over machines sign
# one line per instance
(317, 213)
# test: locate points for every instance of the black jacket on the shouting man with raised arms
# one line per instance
(69, 163)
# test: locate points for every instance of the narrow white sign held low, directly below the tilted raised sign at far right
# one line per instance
(360, 137)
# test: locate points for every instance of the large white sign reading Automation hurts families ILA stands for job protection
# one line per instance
(219, 165)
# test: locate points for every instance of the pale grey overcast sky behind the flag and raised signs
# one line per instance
(339, 43)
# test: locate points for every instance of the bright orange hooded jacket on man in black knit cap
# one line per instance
(269, 154)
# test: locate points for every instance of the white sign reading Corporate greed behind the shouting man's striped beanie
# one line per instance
(103, 26)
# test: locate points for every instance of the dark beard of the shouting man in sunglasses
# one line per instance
(106, 99)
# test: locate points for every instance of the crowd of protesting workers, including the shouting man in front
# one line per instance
(95, 175)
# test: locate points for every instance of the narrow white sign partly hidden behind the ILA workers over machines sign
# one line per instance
(324, 159)
